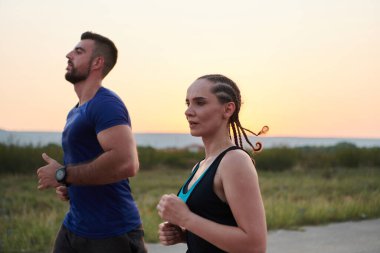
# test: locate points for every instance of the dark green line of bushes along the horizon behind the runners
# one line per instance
(26, 159)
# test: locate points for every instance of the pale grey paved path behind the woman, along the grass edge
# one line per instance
(345, 237)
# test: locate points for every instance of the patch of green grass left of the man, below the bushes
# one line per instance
(29, 219)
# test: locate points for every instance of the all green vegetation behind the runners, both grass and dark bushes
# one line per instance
(300, 186)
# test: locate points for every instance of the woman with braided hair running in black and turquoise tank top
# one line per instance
(219, 208)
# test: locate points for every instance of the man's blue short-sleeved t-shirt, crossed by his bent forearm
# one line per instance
(98, 211)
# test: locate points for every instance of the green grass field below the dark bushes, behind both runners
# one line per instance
(29, 219)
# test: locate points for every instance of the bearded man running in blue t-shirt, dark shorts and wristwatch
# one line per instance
(99, 156)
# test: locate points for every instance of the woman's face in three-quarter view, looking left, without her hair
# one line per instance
(205, 114)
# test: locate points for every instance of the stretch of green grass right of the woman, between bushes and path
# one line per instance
(298, 198)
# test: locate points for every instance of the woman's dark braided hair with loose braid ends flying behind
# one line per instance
(226, 91)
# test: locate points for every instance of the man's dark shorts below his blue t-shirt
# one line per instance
(131, 242)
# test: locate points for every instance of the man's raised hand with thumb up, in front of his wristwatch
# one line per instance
(46, 174)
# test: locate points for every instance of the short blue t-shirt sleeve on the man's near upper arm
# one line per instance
(108, 112)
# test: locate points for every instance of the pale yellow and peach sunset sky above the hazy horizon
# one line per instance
(305, 68)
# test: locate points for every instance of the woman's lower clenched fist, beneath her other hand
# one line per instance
(170, 234)
